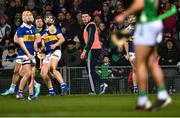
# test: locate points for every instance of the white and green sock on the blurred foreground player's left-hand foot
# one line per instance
(142, 98)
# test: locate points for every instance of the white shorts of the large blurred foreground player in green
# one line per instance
(149, 33)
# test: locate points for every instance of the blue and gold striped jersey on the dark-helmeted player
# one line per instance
(50, 39)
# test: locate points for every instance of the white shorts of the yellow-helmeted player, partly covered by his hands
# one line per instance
(24, 59)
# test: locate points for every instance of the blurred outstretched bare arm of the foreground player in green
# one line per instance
(135, 7)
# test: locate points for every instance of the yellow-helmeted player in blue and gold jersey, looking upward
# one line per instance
(26, 36)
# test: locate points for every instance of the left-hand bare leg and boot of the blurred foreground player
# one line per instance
(142, 55)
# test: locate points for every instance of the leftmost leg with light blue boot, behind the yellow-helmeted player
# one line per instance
(15, 79)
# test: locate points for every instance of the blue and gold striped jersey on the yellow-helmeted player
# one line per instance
(28, 34)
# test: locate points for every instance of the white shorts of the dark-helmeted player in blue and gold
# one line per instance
(55, 55)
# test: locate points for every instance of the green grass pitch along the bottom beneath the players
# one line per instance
(82, 105)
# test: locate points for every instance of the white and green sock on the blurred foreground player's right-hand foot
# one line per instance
(162, 93)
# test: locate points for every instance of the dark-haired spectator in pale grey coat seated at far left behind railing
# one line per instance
(11, 53)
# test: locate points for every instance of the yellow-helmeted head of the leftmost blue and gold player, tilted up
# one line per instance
(27, 17)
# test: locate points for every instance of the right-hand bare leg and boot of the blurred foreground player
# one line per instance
(163, 98)
